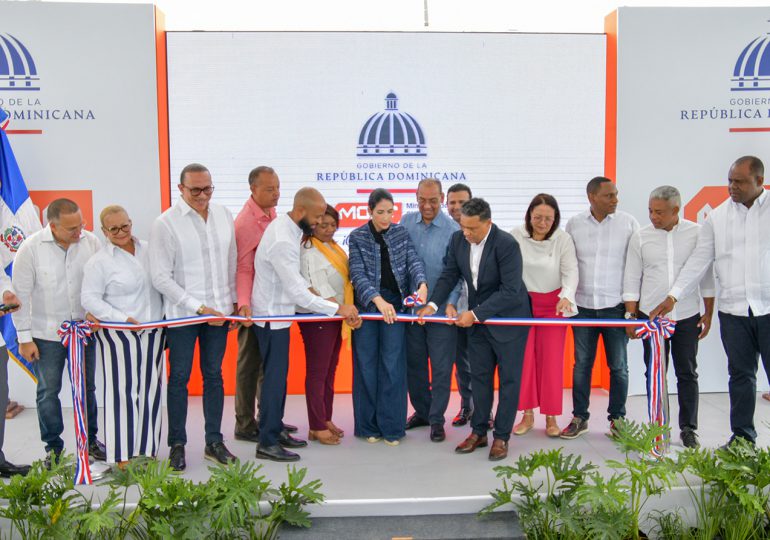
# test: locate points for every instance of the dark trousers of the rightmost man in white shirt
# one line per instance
(744, 340)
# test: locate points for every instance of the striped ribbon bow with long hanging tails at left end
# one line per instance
(74, 335)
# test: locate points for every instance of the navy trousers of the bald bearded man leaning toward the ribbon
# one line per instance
(274, 346)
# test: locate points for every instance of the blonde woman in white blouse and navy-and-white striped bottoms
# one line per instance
(117, 287)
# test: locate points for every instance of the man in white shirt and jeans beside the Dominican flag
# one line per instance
(47, 278)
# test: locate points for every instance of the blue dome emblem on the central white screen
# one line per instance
(391, 133)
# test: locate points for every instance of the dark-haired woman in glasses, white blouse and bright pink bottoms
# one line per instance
(551, 277)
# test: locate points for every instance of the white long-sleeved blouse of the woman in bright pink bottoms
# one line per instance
(548, 264)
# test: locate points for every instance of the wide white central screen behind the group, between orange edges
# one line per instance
(511, 115)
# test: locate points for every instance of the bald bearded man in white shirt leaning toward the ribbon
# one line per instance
(278, 291)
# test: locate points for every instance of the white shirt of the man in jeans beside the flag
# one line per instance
(47, 280)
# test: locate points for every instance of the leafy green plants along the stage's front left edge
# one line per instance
(235, 502)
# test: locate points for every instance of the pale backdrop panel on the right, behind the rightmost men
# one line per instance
(676, 109)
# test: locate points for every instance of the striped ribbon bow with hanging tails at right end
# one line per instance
(657, 331)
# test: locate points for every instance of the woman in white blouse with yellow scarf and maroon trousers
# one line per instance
(324, 264)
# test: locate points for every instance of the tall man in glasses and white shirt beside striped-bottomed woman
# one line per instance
(192, 263)
